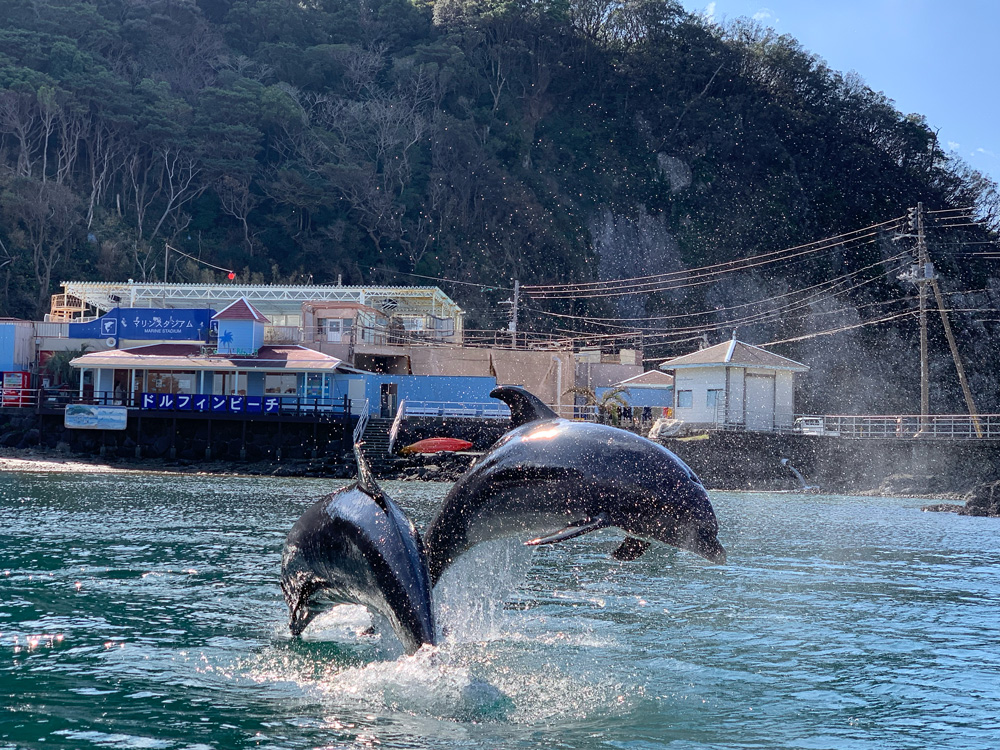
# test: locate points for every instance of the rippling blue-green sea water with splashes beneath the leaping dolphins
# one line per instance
(143, 611)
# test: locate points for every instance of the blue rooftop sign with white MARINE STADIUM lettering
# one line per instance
(147, 323)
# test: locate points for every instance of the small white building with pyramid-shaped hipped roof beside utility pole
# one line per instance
(735, 385)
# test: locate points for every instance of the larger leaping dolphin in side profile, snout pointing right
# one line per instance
(552, 479)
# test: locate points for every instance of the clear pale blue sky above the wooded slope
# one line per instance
(939, 59)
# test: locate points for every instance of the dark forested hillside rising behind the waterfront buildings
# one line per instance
(557, 143)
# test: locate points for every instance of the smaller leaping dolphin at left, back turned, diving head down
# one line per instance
(356, 546)
